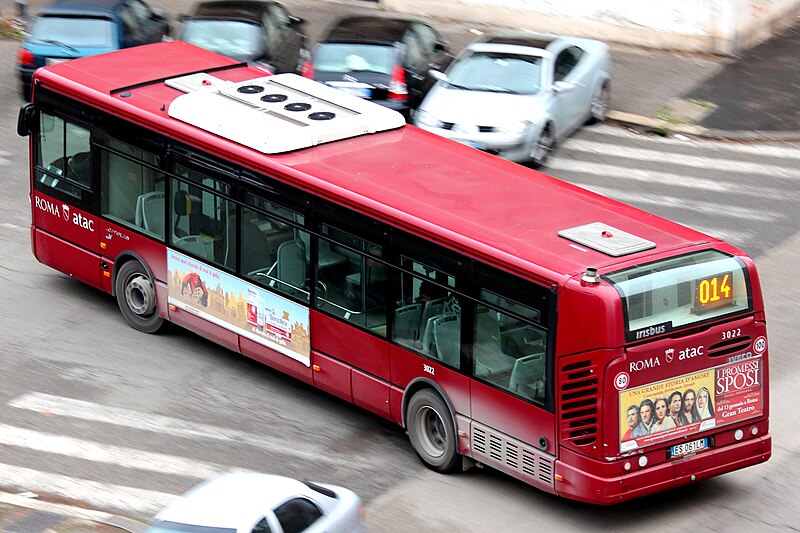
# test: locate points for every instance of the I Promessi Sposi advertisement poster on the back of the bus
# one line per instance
(710, 398)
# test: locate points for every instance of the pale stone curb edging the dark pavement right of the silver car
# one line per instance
(664, 128)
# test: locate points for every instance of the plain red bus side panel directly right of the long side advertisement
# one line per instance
(349, 344)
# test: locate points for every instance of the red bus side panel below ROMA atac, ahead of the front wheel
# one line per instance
(72, 260)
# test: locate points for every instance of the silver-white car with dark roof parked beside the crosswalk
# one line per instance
(516, 96)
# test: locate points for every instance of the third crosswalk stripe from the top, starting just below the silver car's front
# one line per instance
(615, 172)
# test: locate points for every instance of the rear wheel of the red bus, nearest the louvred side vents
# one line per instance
(432, 432)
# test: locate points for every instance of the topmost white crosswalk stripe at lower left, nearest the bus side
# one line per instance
(164, 425)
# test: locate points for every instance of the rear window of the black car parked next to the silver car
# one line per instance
(351, 57)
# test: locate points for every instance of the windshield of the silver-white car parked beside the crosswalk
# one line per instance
(497, 72)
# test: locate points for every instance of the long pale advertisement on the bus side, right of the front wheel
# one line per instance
(241, 307)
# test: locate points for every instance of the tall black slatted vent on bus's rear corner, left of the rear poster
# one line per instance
(578, 402)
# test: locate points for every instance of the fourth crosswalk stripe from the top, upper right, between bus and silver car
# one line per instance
(683, 203)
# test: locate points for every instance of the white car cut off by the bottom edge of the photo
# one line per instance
(240, 502)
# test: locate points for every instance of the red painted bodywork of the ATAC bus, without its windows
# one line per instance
(490, 211)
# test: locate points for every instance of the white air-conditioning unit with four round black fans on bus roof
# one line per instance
(276, 114)
